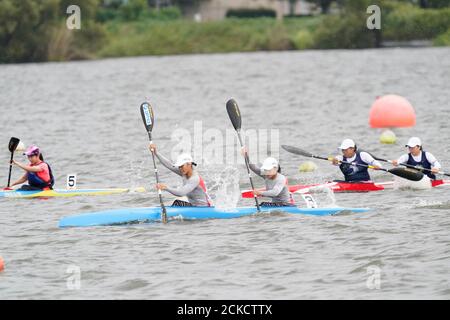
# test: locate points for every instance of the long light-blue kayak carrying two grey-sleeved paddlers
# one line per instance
(152, 214)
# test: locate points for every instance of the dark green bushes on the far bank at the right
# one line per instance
(400, 21)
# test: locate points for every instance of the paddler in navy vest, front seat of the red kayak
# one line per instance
(353, 172)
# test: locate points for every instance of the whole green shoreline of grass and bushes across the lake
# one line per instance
(403, 26)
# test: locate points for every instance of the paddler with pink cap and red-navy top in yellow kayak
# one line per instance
(38, 173)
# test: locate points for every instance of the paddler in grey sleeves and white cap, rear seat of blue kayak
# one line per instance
(276, 183)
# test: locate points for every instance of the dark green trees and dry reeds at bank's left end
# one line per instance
(36, 31)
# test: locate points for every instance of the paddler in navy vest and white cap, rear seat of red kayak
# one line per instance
(419, 158)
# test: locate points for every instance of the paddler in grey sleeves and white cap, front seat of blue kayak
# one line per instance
(193, 187)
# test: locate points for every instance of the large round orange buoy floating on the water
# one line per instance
(392, 111)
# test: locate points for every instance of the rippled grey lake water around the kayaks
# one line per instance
(85, 116)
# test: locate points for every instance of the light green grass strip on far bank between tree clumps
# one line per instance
(149, 37)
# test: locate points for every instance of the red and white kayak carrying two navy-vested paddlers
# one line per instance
(342, 186)
